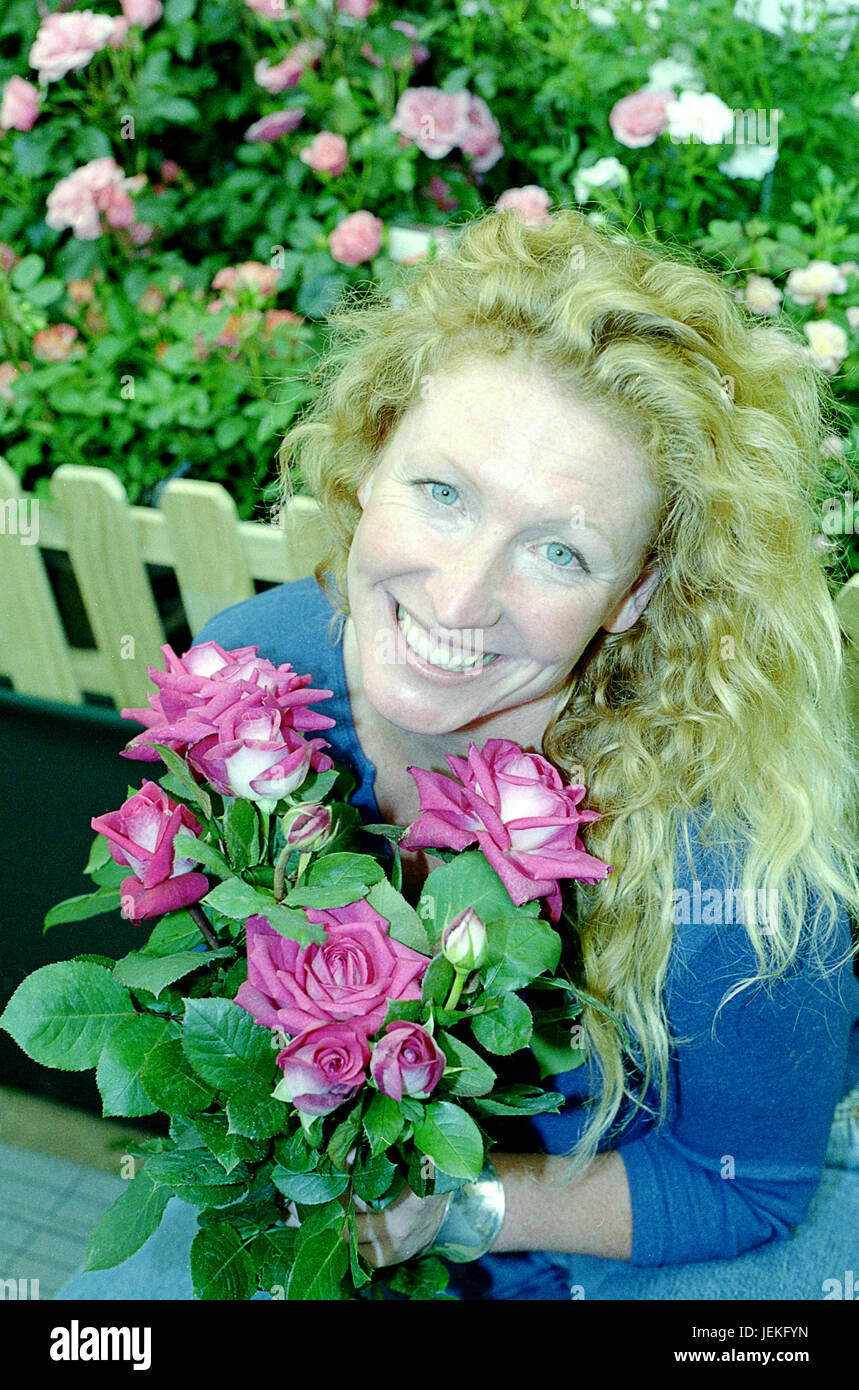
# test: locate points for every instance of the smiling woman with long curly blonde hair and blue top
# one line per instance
(572, 493)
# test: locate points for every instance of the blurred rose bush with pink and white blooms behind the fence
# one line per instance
(193, 184)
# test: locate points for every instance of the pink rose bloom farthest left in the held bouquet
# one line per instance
(141, 837)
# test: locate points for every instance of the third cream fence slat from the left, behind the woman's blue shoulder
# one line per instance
(212, 569)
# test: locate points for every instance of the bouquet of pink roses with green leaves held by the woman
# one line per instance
(315, 1039)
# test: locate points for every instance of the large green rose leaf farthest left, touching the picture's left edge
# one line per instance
(65, 1014)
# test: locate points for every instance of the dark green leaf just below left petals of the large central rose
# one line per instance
(226, 1046)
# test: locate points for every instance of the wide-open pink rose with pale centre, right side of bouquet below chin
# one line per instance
(521, 814)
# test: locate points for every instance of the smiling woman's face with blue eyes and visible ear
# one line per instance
(505, 523)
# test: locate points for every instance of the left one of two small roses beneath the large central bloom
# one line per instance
(323, 1068)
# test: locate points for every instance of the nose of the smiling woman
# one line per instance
(465, 583)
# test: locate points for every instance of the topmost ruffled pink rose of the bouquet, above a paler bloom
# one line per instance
(198, 689)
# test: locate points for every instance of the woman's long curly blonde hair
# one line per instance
(726, 700)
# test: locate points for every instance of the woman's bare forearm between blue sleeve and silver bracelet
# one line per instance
(591, 1216)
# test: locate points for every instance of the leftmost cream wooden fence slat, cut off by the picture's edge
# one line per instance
(33, 641)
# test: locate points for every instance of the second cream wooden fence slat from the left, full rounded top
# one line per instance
(102, 543)
